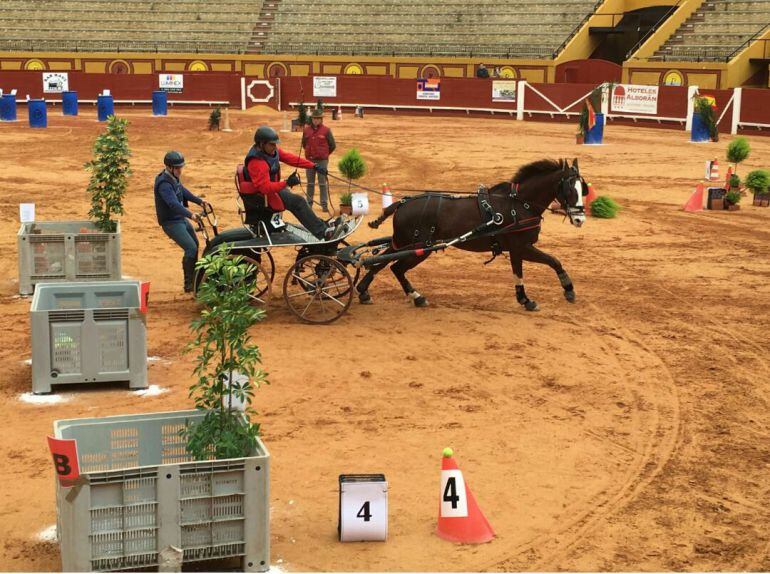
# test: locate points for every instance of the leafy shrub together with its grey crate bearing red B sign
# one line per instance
(191, 485)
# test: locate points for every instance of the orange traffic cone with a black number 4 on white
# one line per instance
(459, 518)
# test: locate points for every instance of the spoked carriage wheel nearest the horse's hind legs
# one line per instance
(318, 289)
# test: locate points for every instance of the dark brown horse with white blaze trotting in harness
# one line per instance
(513, 212)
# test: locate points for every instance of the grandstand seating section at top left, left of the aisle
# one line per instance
(135, 25)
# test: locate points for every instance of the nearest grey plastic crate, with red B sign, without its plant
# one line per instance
(142, 494)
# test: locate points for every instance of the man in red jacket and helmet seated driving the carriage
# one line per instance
(263, 166)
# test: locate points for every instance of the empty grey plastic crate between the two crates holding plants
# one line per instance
(88, 332)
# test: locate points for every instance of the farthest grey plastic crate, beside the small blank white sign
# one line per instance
(66, 251)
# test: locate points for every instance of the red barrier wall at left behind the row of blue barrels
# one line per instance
(197, 86)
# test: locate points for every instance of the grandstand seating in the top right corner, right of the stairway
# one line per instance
(716, 31)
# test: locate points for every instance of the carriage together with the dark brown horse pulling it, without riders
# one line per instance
(318, 287)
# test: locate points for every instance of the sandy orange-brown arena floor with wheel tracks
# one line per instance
(628, 431)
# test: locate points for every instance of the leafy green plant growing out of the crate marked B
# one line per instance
(225, 350)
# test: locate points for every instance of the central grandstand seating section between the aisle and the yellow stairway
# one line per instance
(526, 28)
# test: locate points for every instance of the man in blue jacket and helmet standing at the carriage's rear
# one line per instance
(171, 201)
